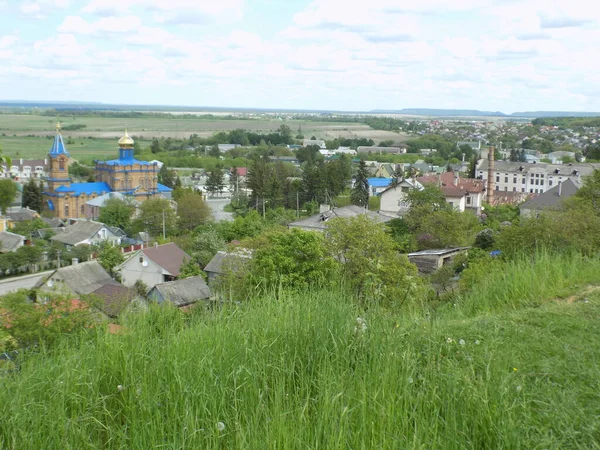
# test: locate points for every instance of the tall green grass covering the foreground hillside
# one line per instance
(292, 372)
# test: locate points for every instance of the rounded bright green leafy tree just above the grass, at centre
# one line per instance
(292, 258)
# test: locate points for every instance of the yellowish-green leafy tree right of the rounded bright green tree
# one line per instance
(370, 261)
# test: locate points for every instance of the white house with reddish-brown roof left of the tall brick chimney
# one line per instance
(464, 194)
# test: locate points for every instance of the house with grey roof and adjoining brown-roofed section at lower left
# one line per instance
(88, 279)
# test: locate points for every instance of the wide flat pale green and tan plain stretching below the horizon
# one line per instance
(178, 127)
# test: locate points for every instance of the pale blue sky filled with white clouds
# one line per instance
(348, 55)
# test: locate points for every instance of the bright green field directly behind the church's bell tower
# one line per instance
(85, 150)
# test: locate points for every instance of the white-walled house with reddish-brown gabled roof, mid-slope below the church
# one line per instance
(153, 265)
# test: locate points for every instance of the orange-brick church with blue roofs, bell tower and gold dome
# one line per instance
(125, 175)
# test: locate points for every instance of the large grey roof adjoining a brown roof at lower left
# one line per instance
(83, 278)
